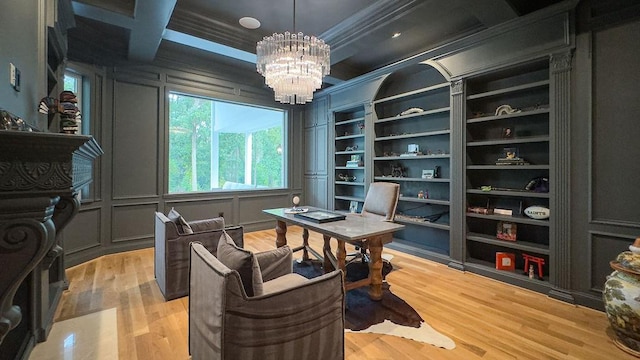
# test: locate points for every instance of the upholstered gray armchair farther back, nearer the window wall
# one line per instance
(172, 238)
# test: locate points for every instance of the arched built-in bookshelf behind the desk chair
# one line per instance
(412, 148)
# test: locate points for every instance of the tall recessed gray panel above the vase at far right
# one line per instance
(616, 169)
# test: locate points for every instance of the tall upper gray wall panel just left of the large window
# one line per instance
(135, 134)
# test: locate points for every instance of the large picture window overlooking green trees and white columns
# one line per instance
(216, 145)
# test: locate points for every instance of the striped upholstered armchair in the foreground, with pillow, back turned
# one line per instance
(288, 316)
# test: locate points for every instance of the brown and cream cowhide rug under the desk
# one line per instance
(389, 316)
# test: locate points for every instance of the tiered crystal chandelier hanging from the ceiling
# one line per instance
(293, 64)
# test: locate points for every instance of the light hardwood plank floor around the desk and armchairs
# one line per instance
(486, 319)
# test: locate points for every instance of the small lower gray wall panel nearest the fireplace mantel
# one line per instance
(84, 231)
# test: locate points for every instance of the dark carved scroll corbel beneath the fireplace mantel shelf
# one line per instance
(26, 234)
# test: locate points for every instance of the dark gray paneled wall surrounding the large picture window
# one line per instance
(131, 182)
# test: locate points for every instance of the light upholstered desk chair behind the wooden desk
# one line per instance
(380, 203)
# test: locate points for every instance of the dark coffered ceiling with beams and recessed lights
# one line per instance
(114, 32)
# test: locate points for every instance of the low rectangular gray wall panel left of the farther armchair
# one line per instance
(132, 222)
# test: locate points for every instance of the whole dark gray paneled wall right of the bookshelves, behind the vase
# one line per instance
(605, 215)
